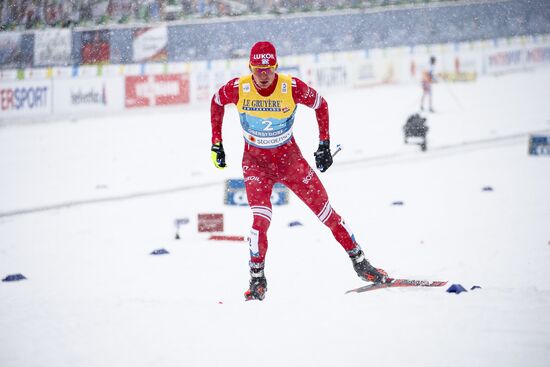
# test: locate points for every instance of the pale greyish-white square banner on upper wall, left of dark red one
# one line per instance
(52, 47)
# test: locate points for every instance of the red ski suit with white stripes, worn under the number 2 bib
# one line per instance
(263, 167)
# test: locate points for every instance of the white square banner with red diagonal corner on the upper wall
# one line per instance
(150, 44)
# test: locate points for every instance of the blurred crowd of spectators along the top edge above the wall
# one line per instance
(20, 15)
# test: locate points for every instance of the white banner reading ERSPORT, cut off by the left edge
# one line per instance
(25, 98)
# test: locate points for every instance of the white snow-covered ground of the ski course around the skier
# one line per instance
(83, 203)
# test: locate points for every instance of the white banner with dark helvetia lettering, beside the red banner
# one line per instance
(88, 95)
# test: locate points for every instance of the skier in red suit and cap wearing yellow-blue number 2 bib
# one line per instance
(267, 103)
